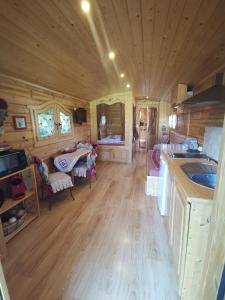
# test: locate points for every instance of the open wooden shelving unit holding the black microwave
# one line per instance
(9, 203)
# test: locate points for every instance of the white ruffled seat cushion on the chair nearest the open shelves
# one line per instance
(59, 181)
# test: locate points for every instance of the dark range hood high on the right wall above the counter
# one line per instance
(213, 95)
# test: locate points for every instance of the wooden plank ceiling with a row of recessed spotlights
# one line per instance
(157, 43)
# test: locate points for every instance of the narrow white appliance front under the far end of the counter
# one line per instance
(162, 199)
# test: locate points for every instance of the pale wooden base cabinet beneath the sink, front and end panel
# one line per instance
(188, 230)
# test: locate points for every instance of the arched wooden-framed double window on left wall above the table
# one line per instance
(52, 123)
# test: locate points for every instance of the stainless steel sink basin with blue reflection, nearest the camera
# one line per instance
(201, 173)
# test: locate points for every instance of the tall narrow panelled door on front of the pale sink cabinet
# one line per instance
(180, 231)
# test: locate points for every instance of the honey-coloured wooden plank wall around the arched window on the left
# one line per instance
(19, 95)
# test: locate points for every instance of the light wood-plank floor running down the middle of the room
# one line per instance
(108, 244)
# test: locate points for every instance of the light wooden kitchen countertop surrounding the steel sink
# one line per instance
(191, 190)
